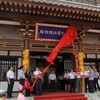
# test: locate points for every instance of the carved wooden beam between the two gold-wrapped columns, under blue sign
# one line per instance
(47, 46)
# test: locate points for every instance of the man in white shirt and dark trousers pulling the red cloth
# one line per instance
(38, 85)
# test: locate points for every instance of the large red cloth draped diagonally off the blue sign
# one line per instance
(67, 39)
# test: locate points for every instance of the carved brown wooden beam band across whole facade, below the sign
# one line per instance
(15, 44)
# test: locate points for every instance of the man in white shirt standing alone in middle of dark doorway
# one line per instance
(52, 81)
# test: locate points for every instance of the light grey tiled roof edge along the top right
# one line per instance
(70, 4)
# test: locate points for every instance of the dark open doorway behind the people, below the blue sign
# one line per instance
(38, 59)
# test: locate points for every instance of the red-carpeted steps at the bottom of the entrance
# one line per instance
(60, 96)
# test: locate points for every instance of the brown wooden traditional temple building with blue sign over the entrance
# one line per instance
(28, 27)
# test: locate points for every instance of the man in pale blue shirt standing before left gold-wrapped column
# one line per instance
(21, 76)
